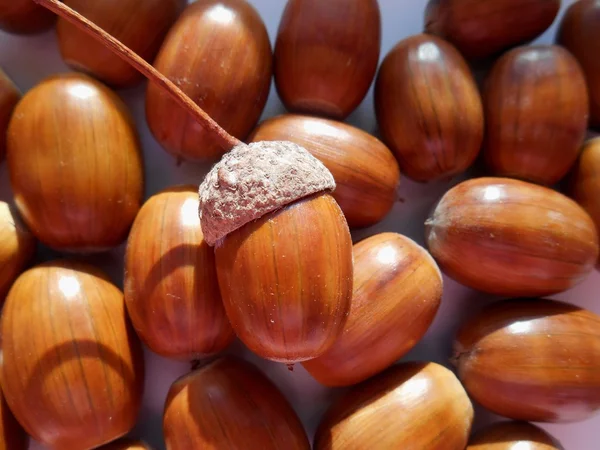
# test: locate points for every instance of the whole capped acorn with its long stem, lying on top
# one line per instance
(282, 245)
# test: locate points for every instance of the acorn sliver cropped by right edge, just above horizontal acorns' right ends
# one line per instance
(585, 180)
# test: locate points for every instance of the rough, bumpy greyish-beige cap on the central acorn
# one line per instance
(255, 179)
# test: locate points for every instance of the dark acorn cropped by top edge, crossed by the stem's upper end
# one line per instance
(139, 24)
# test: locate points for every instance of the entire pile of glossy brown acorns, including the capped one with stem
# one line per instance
(263, 251)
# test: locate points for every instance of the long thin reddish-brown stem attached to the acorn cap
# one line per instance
(132, 58)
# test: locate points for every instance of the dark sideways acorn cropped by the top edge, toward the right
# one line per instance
(480, 29)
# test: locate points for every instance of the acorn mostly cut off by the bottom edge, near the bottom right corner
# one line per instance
(513, 436)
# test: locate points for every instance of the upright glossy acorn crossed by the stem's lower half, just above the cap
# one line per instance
(231, 86)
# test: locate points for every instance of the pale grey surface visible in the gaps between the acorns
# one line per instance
(27, 60)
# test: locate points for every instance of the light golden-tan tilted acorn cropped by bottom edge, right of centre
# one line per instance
(413, 405)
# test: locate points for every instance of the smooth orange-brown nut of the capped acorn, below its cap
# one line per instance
(286, 279)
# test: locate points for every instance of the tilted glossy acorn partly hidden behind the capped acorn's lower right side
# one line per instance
(397, 293)
